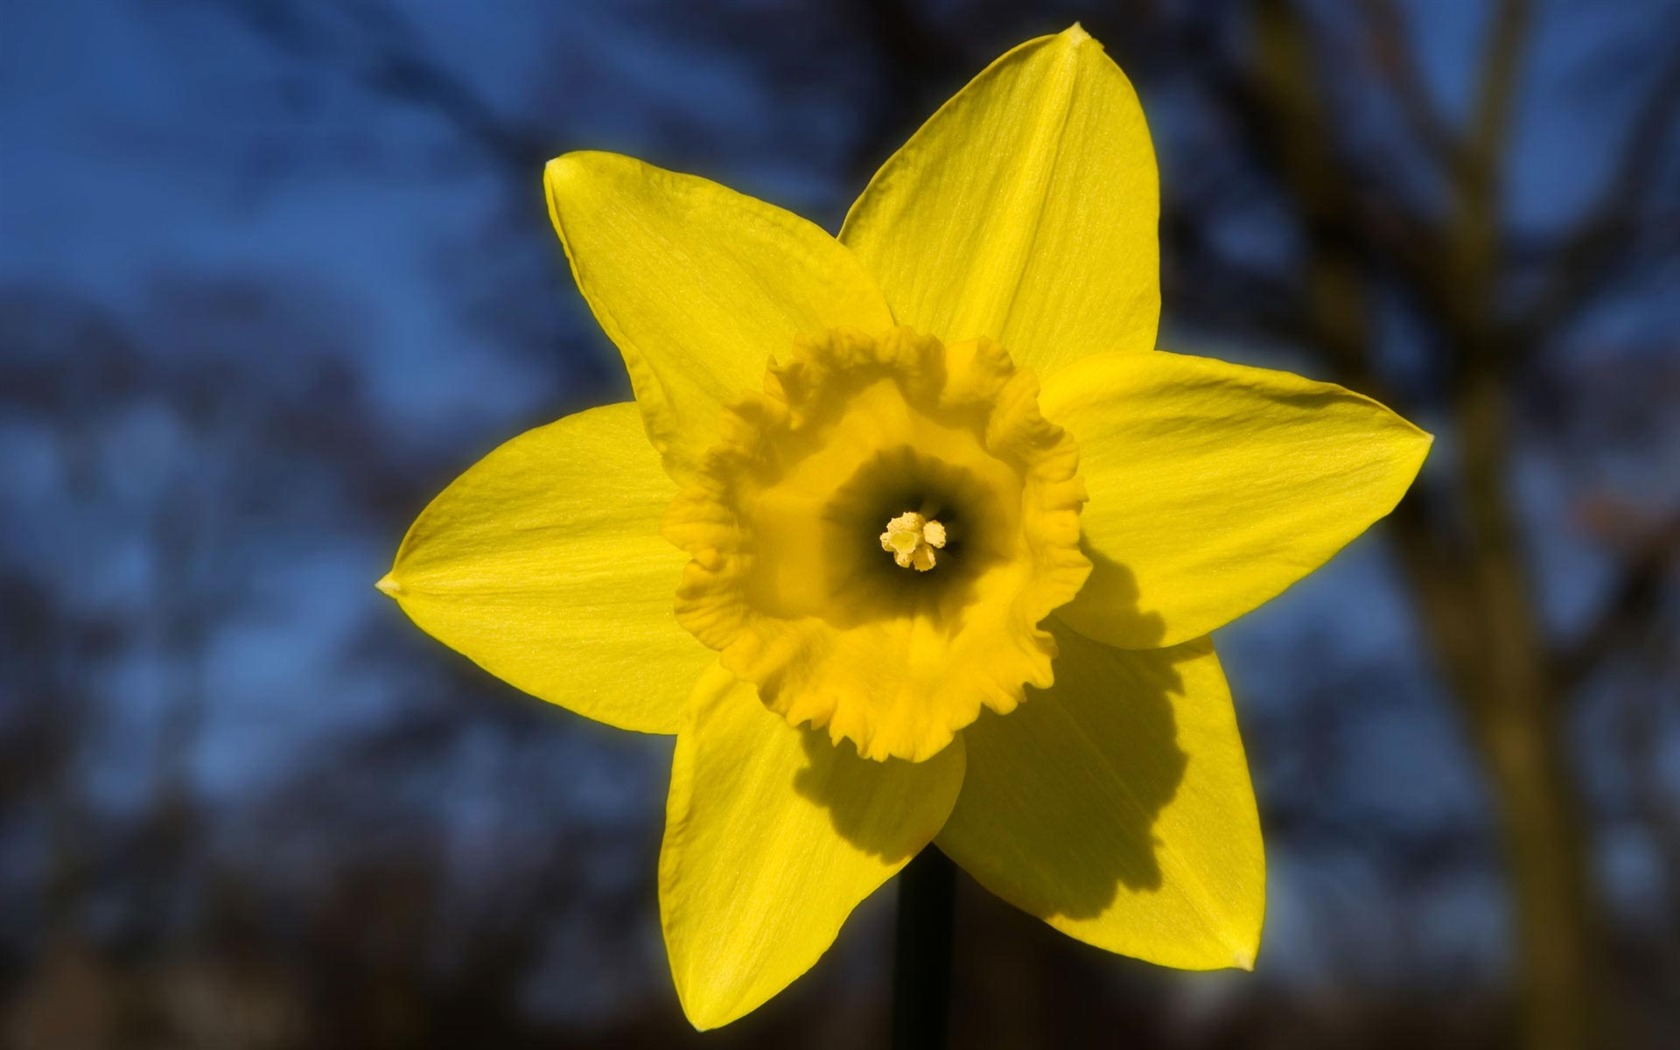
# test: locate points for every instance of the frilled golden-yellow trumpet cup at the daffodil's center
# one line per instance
(787, 577)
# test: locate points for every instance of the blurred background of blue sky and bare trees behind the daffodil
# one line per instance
(273, 273)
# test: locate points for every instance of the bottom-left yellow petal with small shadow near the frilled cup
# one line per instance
(772, 837)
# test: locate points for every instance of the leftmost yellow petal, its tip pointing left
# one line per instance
(543, 564)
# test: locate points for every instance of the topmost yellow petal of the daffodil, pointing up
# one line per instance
(1024, 211)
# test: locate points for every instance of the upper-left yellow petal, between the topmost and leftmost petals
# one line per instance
(700, 286)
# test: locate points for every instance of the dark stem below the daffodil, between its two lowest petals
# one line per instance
(921, 960)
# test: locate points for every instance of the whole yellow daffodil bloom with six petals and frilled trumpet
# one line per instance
(911, 538)
